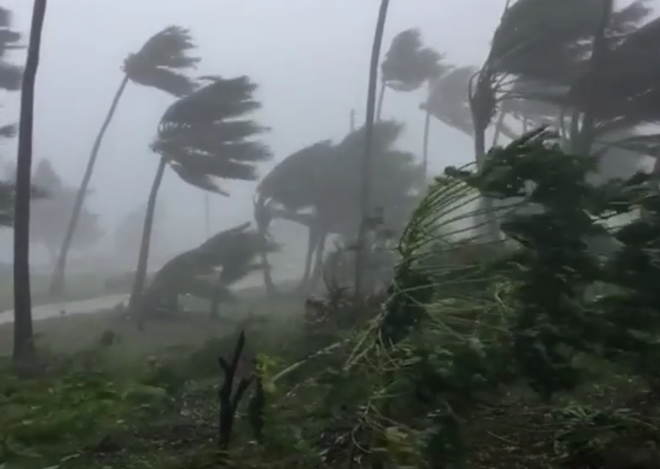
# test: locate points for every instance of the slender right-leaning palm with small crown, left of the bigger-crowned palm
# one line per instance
(160, 64)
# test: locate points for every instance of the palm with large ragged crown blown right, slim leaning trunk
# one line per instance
(203, 136)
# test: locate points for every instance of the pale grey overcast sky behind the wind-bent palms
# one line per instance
(309, 57)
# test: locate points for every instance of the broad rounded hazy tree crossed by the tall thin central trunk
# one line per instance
(318, 186)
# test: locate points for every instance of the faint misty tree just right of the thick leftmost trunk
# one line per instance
(48, 222)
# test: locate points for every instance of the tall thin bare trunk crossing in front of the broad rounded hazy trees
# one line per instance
(361, 260)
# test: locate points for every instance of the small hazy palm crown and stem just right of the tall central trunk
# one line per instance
(407, 65)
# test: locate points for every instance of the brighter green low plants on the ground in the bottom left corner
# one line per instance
(74, 407)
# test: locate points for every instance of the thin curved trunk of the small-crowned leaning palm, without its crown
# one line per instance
(58, 281)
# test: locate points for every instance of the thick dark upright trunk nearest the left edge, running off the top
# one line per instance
(24, 352)
